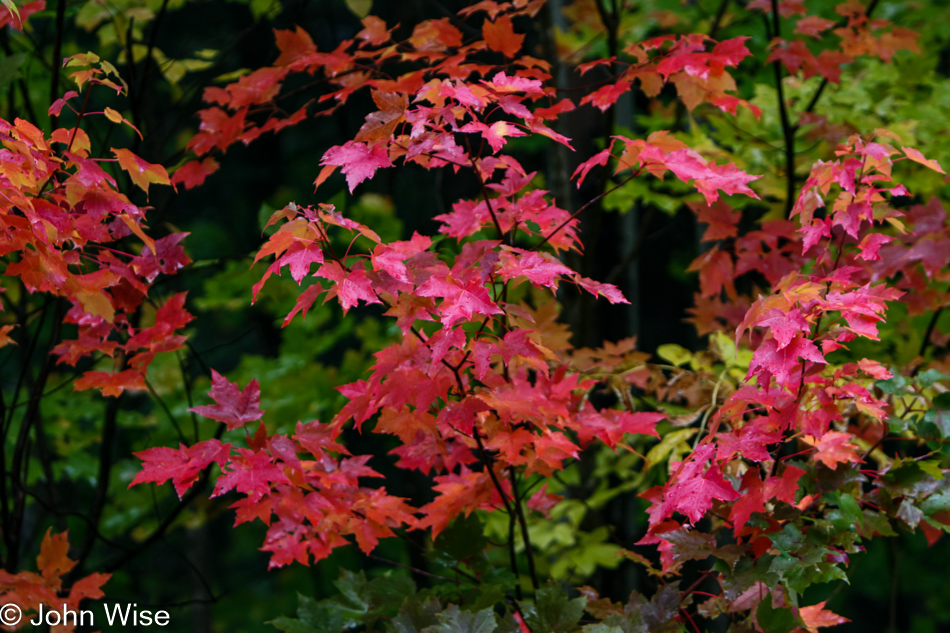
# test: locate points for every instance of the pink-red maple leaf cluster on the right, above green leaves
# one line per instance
(791, 389)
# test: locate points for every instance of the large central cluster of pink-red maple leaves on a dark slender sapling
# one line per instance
(471, 396)
